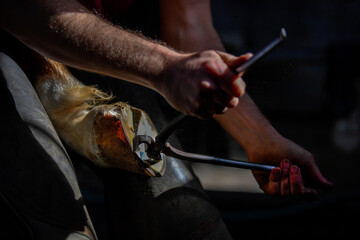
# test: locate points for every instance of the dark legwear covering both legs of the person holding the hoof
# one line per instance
(39, 193)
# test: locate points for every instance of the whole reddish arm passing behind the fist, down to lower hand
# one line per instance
(262, 143)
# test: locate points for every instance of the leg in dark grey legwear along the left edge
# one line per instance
(38, 186)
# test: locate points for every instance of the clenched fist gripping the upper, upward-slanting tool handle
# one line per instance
(203, 84)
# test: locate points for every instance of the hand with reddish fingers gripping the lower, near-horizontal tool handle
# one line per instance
(297, 174)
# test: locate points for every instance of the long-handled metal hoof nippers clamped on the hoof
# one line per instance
(155, 147)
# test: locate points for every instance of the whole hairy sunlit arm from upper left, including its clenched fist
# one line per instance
(67, 32)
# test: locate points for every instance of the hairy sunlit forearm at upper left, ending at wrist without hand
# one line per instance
(67, 32)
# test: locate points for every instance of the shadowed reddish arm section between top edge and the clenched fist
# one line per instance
(187, 25)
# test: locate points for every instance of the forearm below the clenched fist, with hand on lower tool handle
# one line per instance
(296, 173)
